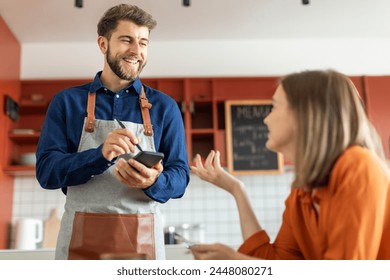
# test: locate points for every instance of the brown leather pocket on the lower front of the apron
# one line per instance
(95, 234)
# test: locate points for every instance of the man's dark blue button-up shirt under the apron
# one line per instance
(59, 165)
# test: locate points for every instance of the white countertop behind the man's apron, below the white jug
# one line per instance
(173, 252)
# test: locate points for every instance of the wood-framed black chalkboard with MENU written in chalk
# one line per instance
(246, 135)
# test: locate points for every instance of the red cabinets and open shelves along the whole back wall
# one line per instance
(201, 101)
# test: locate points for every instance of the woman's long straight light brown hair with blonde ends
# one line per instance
(331, 118)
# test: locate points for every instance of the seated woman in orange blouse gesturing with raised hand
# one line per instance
(339, 205)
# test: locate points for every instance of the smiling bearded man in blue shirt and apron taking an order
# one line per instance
(112, 204)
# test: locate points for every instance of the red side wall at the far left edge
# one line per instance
(9, 85)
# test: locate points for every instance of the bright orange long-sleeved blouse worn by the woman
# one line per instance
(353, 220)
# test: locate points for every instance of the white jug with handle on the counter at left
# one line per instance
(28, 233)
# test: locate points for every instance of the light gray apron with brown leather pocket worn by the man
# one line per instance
(105, 216)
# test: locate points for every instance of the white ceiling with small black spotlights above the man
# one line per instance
(60, 21)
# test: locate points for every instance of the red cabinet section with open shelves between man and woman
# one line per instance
(201, 101)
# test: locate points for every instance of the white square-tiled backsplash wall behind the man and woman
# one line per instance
(204, 204)
